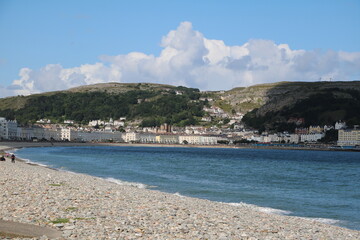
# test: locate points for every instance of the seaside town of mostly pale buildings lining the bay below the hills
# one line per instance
(119, 131)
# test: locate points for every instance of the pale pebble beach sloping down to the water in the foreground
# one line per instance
(86, 207)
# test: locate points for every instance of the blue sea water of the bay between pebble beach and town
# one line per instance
(313, 184)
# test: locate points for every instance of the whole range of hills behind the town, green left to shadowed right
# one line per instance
(266, 106)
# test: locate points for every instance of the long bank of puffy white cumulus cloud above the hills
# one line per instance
(188, 58)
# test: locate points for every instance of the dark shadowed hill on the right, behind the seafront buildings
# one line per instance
(318, 103)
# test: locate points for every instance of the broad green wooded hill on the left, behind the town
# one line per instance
(154, 104)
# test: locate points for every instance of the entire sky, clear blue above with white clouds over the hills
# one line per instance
(210, 45)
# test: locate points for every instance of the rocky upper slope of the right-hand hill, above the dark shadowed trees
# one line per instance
(276, 96)
